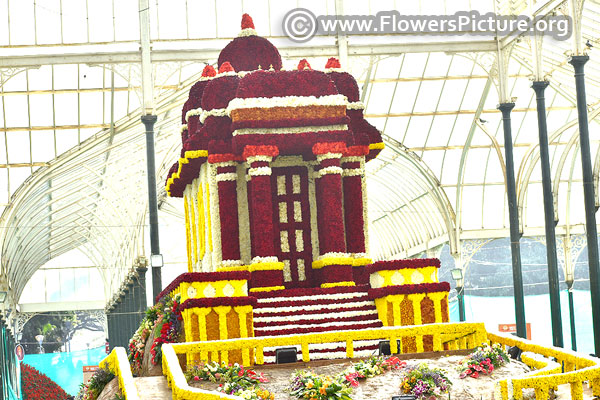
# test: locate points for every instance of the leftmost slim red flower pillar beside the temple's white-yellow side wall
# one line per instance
(228, 206)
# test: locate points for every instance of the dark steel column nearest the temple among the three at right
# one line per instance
(515, 235)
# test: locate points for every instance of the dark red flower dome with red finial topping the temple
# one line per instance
(249, 52)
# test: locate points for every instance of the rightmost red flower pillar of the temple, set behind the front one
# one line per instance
(353, 176)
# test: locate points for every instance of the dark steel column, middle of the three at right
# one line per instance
(557, 336)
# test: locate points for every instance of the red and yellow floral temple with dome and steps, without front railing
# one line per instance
(272, 174)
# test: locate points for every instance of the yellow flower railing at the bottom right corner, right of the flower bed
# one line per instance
(578, 368)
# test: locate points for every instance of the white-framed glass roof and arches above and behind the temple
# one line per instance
(72, 148)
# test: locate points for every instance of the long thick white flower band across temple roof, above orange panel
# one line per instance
(288, 101)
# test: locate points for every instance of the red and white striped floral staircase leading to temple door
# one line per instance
(313, 310)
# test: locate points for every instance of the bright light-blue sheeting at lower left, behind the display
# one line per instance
(66, 369)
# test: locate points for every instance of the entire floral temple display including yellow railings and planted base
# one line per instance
(272, 177)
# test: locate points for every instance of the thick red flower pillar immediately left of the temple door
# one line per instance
(267, 271)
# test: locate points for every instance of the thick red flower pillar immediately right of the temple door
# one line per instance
(334, 264)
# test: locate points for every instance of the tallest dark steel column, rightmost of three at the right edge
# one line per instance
(578, 63)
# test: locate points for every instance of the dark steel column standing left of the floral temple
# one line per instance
(148, 121)
